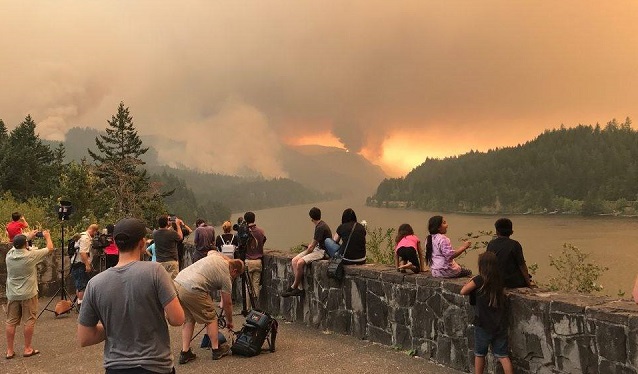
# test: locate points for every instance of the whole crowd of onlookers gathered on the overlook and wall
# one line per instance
(166, 291)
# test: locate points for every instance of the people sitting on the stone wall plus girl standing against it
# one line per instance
(502, 265)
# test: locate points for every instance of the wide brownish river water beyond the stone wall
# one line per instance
(610, 241)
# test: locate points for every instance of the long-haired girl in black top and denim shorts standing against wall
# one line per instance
(490, 322)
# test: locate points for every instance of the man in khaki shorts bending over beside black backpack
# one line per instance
(195, 284)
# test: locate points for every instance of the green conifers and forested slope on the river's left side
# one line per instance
(114, 181)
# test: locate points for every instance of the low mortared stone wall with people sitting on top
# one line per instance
(549, 332)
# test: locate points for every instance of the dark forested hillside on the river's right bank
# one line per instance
(583, 170)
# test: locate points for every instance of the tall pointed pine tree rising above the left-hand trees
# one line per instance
(119, 167)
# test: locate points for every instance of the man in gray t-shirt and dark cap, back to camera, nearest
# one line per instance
(114, 298)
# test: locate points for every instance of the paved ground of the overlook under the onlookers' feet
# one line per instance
(300, 349)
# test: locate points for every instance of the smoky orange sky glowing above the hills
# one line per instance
(395, 81)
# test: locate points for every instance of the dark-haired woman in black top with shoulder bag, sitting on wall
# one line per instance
(355, 252)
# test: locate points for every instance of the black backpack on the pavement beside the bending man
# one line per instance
(256, 329)
